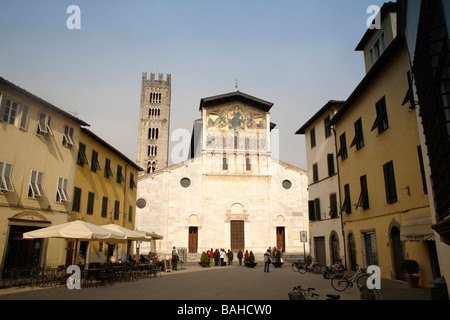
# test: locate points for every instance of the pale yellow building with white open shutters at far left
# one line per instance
(38, 145)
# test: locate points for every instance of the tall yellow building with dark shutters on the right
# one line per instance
(382, 181)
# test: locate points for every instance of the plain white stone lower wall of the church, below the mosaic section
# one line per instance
(213, 200)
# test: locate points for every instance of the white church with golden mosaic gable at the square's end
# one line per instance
(231, 194)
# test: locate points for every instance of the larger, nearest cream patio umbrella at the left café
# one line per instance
(78, 231)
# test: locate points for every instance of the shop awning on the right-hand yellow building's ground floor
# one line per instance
(417, 228)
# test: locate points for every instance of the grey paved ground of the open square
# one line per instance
(235, 282)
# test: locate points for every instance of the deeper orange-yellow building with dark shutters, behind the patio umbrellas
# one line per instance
(104, 192)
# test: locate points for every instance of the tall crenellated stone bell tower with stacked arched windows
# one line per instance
(154, 120)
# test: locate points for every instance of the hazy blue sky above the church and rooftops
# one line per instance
(295, 54)
